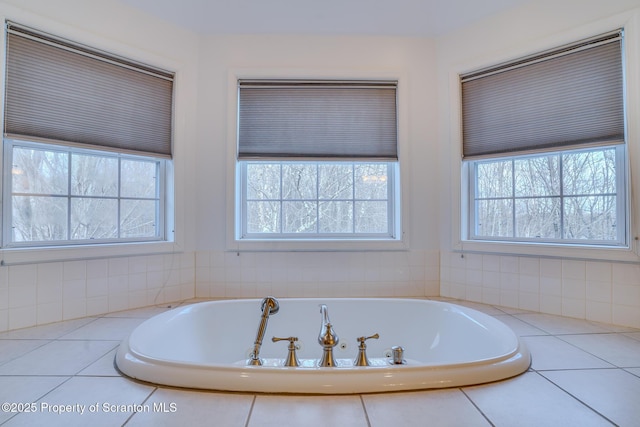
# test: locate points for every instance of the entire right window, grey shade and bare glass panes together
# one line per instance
(544, 147)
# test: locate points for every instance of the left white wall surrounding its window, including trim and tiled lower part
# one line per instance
(45, 286)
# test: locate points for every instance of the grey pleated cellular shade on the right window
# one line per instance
(568, 97)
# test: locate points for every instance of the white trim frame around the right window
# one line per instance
(459, 177)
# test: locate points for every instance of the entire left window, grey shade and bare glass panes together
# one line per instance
(87, 142)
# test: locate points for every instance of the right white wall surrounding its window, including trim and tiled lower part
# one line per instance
(571, 283)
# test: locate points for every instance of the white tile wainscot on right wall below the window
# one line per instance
(605, 292)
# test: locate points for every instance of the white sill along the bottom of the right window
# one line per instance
(591, 253)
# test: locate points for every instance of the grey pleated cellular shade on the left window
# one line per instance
(60, 91)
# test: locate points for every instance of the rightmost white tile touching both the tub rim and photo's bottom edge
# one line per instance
(530, 400)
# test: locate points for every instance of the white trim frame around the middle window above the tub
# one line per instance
(401, 242)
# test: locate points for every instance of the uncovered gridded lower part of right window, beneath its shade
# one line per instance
(573, 197)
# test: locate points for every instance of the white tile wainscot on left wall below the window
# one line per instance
(36, 294)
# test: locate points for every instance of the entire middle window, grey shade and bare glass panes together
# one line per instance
(317, 160)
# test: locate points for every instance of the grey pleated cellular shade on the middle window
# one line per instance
(317, 120)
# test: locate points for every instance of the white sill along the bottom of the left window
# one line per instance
(15, 256)
